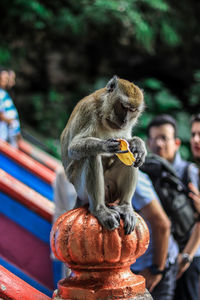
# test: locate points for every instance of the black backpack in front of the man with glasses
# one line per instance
(173, 194)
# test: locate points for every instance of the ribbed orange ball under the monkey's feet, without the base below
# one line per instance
(79, 240)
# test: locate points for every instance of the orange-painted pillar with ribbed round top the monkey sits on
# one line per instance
(100, 259)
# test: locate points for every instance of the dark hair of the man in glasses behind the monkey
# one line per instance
(162, 120)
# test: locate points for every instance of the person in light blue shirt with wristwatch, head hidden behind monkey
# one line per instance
(158, 264)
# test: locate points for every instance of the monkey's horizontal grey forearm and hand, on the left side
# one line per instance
(90, 146)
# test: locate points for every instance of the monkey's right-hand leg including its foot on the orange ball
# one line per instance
(126, 179)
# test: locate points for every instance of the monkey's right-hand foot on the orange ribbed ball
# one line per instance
(127, 214)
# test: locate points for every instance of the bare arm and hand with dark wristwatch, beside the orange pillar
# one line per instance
(160, 225)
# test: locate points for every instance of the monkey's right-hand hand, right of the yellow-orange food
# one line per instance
(138, 148)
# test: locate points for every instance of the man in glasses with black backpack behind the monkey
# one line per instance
(163, 141)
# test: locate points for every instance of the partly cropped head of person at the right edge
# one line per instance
(195, 136)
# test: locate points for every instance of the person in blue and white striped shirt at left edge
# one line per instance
(9, 119)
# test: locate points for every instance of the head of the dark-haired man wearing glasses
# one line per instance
(162, 137)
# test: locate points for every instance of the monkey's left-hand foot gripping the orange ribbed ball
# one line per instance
(108, 218)
